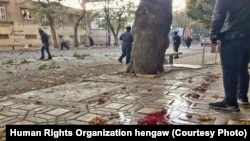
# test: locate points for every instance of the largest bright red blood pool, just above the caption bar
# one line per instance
(155, 118)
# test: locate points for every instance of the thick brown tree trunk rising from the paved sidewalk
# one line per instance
(150, 30)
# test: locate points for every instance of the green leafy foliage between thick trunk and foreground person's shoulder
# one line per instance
(200, 11)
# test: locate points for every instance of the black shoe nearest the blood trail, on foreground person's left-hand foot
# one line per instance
(223, 106)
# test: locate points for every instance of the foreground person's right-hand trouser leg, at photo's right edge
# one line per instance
(243, 75)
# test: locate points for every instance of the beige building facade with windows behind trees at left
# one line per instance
(19, 27)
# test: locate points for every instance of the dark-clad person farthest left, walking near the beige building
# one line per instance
(45, 42)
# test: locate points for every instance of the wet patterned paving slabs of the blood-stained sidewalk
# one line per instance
(179, 96)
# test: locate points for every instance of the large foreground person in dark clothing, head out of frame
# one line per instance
(230, 25)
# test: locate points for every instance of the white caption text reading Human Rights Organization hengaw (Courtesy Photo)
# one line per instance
(174, 133)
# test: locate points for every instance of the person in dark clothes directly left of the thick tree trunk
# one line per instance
(127, 40)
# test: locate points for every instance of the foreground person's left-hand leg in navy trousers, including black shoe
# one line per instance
(231, 54)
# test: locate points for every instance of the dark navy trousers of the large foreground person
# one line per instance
(235, 56)
